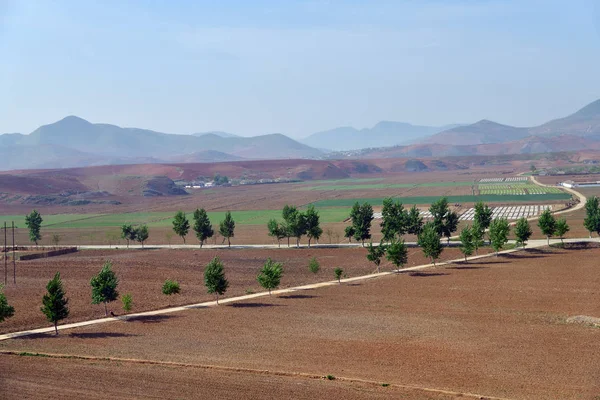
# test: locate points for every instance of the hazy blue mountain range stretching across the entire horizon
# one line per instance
(75, 142)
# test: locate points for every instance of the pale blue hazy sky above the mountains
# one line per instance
(295, 67)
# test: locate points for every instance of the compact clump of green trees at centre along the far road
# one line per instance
(296, 224)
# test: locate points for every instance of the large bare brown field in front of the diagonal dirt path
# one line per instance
(496, 327)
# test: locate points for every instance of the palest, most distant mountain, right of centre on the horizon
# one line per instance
(384, 133)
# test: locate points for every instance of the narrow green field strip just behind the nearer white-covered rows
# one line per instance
(533, 198)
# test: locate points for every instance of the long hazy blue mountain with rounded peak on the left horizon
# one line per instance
(73, 141)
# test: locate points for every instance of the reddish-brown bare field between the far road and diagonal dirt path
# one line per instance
(142, 273)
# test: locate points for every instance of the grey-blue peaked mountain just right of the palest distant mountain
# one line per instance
(481, 132)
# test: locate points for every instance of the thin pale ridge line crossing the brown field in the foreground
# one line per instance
(247, 371)
